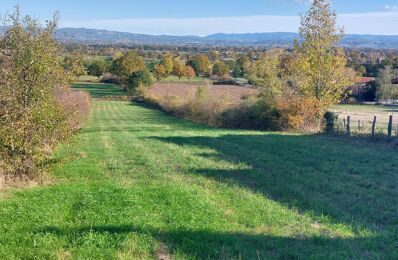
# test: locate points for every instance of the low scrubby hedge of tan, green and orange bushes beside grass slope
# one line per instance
(253, 112)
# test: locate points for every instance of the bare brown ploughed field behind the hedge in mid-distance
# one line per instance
(233, 93)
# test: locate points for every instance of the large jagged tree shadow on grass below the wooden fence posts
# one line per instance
(352, 182)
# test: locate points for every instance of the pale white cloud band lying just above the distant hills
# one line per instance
(362, 23)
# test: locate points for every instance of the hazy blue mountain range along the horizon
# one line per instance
(281, 39)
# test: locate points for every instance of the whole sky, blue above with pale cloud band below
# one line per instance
(202, 17)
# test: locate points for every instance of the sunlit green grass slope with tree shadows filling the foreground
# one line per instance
(135, 179)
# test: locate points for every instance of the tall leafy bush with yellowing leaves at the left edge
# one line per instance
(32, 120)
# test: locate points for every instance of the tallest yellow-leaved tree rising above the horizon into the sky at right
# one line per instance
(321, 68)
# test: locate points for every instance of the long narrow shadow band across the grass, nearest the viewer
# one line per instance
(203, 244)
